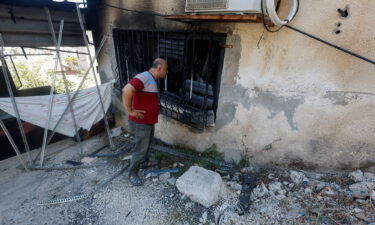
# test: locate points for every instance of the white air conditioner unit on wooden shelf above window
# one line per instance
(223, 6)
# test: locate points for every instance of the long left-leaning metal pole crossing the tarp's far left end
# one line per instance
(11, 95)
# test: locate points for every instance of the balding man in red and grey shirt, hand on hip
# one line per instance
(140, 99)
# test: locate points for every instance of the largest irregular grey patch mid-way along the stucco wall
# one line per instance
(276, 104)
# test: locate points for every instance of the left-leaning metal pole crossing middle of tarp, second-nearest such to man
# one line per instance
(65, 80)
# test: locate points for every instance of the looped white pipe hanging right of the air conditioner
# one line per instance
(271, 10)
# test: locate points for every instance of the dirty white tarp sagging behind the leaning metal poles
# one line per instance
(86, 107)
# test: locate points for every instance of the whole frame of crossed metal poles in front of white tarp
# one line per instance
(46, 138)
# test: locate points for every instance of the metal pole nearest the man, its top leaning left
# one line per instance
(96, 81)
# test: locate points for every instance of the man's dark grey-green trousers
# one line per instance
(143, 134)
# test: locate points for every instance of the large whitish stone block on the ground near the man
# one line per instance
(201, 185)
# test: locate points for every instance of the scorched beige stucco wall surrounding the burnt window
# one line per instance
(285, 98)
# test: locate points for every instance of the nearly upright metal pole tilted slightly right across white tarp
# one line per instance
(50, 104)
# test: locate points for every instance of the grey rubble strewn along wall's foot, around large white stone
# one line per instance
(285, 196)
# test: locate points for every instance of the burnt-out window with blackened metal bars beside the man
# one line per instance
(190, 92)
